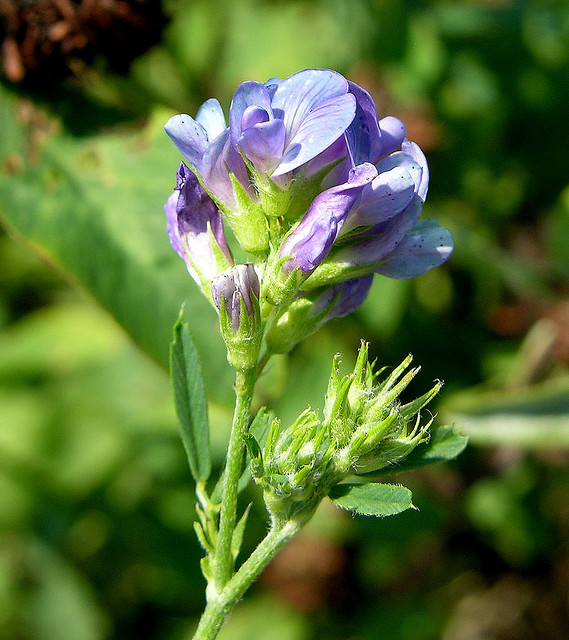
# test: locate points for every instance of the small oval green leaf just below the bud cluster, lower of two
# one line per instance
(372, 499)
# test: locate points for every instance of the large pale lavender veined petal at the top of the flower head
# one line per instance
(316, 109)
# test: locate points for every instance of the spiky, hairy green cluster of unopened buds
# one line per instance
(364, 428)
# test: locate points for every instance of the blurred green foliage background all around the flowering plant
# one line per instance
(96, 505)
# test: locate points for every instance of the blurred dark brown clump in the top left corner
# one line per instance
(45, 41)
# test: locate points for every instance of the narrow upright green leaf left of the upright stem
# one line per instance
(190, 400)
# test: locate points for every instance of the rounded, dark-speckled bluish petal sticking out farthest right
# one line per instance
(425, 246)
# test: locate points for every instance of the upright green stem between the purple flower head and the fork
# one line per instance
(223, 557)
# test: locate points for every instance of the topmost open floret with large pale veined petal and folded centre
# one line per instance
(283, 124)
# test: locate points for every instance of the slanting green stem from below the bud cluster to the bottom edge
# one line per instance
(219, 608)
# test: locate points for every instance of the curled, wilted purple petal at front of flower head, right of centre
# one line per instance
(311, 240)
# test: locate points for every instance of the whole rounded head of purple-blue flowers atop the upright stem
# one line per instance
(320, 191)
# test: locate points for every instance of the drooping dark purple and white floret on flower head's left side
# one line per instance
(195, 229)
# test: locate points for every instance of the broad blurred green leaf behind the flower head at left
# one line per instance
(93, 207)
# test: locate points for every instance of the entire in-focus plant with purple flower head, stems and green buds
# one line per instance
(321, 195)
